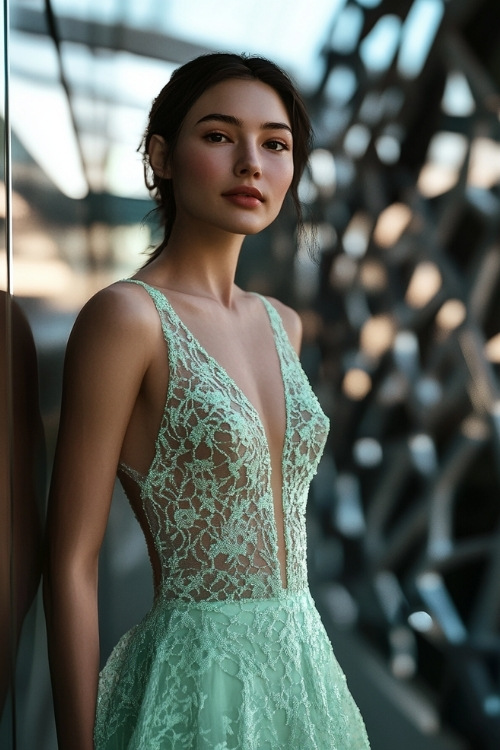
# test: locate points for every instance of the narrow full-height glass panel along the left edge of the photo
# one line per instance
(22, 467)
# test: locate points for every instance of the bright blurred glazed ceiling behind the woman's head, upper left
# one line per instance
(90, 70)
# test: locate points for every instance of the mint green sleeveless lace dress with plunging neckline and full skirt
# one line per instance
(227, 657)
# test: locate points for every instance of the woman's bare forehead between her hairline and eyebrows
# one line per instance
(249, 101)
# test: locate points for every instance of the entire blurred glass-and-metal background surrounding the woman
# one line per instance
(400, 303)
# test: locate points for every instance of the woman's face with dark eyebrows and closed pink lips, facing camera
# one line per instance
(233, 164)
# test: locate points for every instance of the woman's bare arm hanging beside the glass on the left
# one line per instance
(106, 360)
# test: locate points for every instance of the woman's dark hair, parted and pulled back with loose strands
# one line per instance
(186, 85)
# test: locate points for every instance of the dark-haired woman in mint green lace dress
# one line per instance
(190, 388)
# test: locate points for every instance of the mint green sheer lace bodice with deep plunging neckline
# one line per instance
(207, 500)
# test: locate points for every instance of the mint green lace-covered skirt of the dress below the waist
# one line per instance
(251, 674)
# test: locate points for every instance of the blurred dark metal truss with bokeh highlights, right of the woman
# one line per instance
(409, 298)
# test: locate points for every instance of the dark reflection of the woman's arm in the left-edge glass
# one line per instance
(21, 454)
